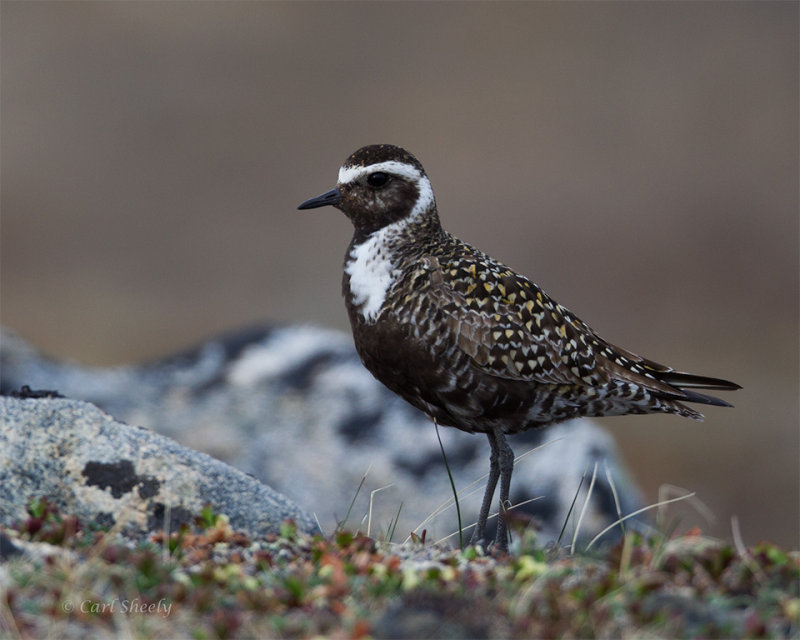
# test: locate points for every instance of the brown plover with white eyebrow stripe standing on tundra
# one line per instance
(469, 341)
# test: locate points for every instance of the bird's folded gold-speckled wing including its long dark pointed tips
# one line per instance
(512, 329)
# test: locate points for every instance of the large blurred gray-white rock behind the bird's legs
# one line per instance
(294, 407)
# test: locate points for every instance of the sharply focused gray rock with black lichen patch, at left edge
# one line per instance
(126, 477)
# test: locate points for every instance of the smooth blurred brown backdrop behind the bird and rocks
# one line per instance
(639, 161)
